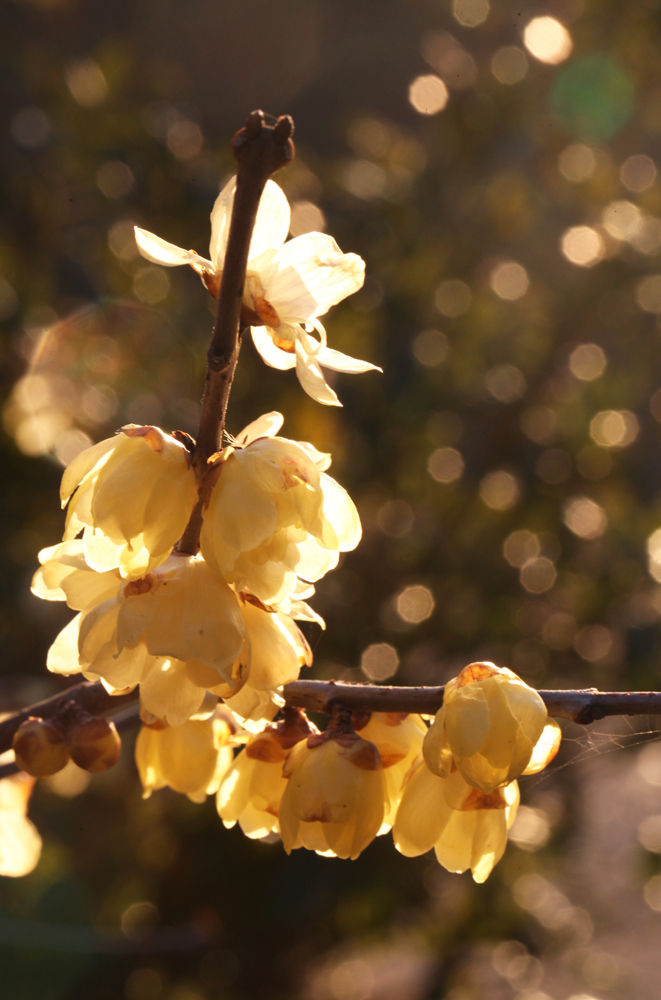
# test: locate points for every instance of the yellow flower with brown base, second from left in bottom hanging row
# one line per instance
(252, 788)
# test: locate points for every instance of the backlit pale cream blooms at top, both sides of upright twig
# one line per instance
(288, 287)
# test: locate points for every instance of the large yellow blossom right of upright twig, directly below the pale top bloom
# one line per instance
(274, 515)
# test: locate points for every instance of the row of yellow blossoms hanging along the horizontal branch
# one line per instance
(334, 792)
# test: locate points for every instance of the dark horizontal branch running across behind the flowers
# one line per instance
(581, 706)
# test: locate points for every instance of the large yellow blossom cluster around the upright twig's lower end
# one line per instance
(179, 626)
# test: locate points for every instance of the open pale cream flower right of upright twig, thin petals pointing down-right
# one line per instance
(287, 290)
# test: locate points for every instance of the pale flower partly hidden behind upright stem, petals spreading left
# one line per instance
(270, 232)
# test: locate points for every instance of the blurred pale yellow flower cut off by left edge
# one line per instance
(20, 843)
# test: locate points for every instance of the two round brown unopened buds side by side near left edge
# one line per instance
(42, 747)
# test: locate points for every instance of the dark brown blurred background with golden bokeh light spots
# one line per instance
(496, 164)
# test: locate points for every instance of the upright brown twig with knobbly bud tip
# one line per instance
(259, 150)
